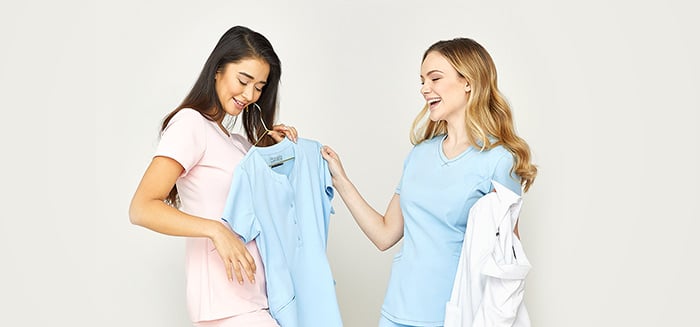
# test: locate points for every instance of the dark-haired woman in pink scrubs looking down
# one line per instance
(184, 189)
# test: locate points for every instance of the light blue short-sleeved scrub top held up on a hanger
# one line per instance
(287, 209)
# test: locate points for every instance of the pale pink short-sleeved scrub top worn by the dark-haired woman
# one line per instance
(209, 157)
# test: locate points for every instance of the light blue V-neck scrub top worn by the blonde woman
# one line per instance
(436, 195)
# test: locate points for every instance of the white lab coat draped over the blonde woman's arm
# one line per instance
(490, 281)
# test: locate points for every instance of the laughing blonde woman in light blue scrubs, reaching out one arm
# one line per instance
(464, 138)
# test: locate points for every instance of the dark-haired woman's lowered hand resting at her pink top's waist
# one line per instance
(234, 254)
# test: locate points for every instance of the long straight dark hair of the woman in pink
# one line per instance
(238, 43)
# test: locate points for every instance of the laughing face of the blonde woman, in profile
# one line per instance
(444, 90)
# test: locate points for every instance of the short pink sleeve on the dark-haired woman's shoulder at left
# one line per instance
(183, 139)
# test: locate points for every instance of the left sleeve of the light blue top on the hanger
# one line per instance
(238, 211)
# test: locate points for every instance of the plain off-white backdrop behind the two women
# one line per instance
(605, 92)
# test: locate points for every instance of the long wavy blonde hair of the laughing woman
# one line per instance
(488, 115)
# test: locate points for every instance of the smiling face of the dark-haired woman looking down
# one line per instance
(239, 84)
